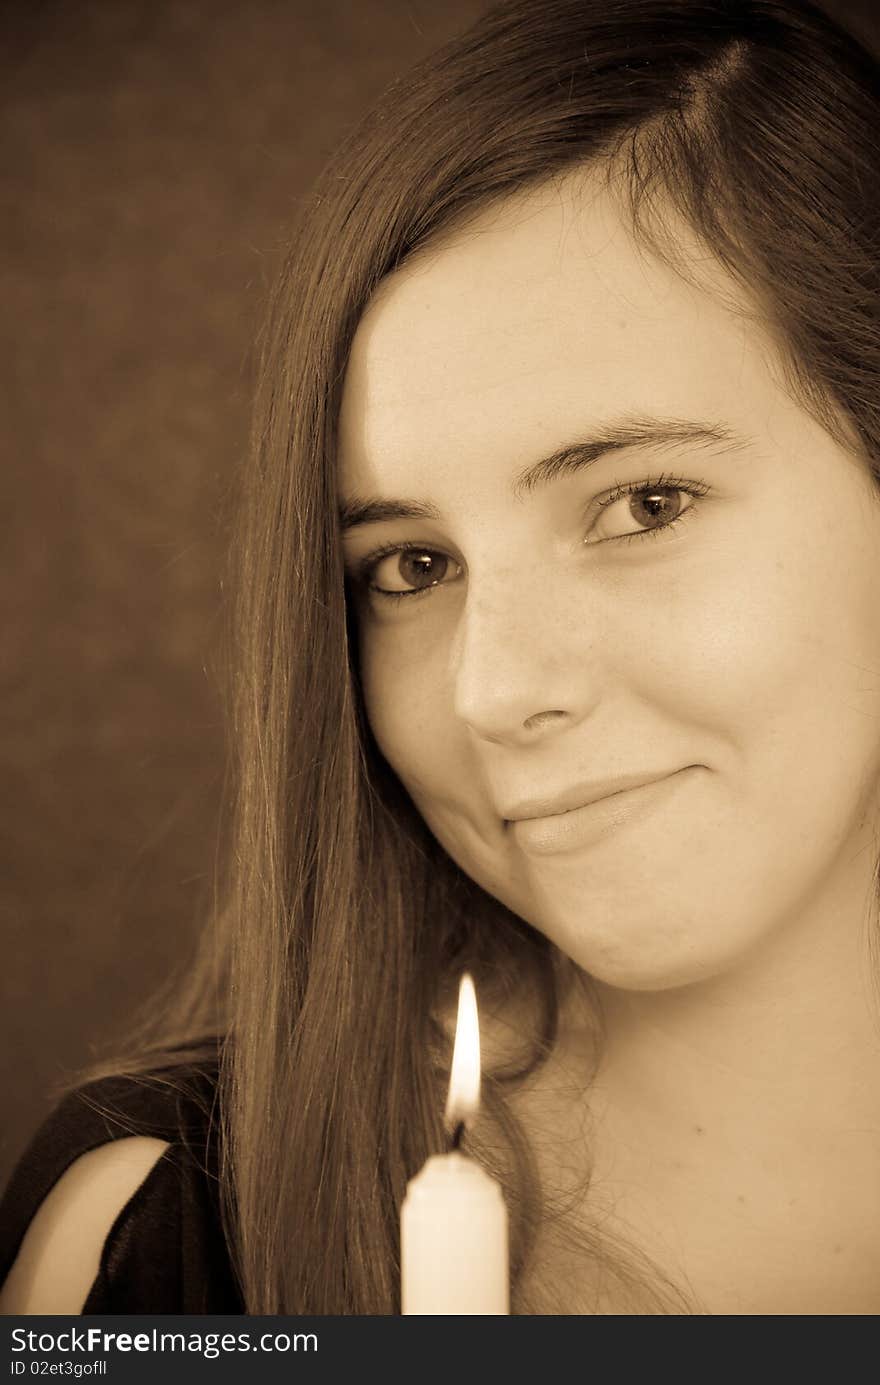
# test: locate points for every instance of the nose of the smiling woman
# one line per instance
(525, 660)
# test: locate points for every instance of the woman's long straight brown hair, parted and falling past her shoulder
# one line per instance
(342, 926)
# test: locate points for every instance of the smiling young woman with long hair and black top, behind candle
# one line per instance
(558, 660)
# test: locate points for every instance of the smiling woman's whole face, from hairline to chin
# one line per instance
(687, 592)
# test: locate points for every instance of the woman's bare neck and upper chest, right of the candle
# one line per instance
(737, 1123)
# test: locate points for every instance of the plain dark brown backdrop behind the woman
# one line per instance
(152, 154)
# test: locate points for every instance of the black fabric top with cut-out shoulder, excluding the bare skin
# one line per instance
(166, 1251)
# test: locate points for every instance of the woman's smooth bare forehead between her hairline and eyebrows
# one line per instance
(545, 314)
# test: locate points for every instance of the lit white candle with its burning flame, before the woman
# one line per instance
(454, 1225)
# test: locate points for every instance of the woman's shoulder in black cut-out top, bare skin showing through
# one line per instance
(124, 1177)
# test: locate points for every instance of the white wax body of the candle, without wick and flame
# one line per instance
(454, 1240)
